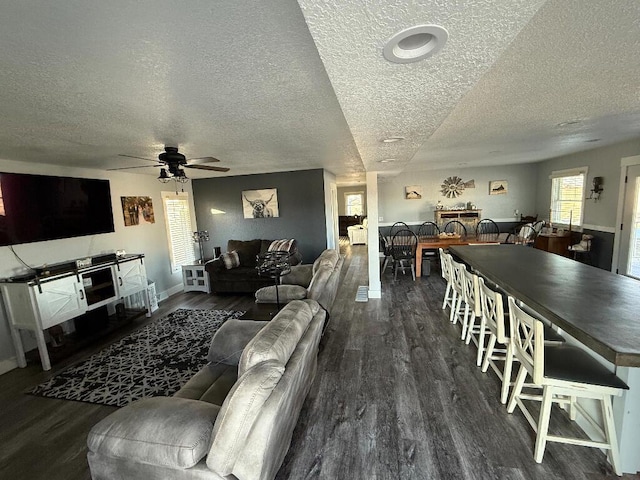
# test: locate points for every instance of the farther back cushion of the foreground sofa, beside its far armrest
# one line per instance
(279, 338)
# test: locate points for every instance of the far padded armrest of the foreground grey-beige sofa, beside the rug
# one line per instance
(229, 341)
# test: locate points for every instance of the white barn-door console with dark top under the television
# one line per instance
(42, 300)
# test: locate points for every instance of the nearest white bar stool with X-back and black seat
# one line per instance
(564, 373)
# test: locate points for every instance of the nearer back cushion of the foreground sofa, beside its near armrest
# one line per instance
(239, 412)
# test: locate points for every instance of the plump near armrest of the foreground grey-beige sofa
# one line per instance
(169, 431)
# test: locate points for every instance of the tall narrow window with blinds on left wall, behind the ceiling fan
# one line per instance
(179, 232)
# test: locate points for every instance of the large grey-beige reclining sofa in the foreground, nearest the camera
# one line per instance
(233, 420)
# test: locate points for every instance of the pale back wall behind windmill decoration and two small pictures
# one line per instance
(521, 180)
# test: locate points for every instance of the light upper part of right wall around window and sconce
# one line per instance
(602, 162)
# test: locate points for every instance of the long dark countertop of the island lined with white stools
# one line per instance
(597, 307)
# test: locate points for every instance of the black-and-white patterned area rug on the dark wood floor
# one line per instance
(153, 361)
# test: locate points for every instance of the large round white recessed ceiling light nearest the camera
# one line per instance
(415, 43)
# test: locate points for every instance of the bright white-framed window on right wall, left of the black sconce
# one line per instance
(567, 196)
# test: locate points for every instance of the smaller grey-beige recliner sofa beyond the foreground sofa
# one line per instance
(318, 281)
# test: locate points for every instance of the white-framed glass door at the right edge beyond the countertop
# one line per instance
(629, 257)
